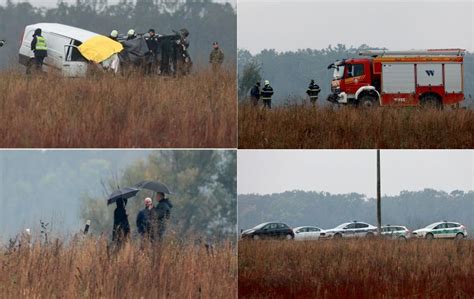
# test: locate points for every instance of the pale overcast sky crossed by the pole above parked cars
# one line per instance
(345, 171)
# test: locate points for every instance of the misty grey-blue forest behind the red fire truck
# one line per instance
(290, 72)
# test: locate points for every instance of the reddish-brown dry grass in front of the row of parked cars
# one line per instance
(356, 269)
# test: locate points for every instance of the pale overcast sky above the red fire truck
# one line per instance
(396, 25)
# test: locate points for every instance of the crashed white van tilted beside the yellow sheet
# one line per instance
(62, 42)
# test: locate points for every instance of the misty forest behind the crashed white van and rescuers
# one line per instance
(206, 21)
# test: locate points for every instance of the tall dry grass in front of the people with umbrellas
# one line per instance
(91, 269)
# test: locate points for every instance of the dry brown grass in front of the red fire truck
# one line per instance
(303, 126)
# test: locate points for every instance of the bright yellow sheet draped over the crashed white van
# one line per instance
(99, 48)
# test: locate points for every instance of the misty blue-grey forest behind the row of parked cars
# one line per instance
(413, 209)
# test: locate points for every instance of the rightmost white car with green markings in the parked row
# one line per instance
(443, 229)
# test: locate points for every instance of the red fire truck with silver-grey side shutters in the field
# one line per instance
(399, 78)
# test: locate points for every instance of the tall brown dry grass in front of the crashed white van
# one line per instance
(104, 110)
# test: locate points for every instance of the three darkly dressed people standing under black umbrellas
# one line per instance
(151, 220)
